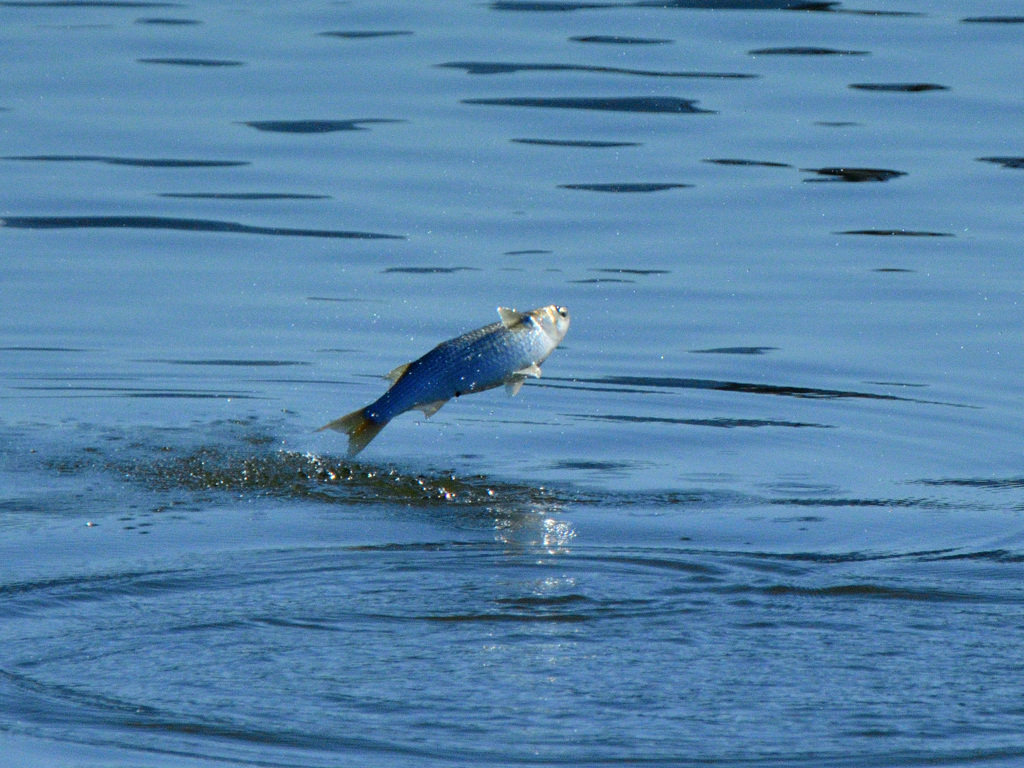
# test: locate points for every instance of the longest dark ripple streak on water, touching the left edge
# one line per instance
(192, 226)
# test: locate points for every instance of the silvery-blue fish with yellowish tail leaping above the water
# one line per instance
(505, 353)
